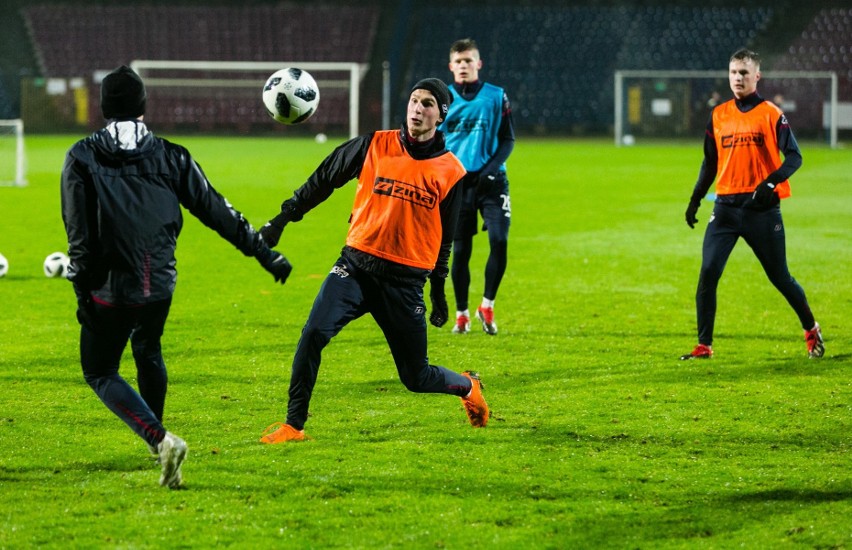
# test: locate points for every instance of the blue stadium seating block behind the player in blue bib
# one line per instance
(557, 63)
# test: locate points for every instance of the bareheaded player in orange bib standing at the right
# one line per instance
(745, 139)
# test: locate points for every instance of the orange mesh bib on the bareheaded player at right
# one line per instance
(748, 148)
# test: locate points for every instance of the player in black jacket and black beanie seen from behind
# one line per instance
(122, 192)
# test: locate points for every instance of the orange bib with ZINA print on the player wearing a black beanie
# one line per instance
(396, 214)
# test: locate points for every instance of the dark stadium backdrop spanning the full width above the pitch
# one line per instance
(556, 59)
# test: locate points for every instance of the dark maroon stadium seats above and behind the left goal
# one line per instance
(72, 40)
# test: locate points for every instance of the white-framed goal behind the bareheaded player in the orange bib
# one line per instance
(677, 104)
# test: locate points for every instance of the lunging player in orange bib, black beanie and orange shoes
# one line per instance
(401, 232)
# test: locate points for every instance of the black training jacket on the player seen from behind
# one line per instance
(122, 214)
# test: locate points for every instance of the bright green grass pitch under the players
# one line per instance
(600, 436)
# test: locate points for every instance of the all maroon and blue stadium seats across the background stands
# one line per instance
(556, 60)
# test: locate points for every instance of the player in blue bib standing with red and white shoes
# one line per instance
(479, 131)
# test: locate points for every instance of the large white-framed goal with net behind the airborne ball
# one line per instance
(226, 95)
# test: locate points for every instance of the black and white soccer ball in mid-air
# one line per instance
(291, 96)
